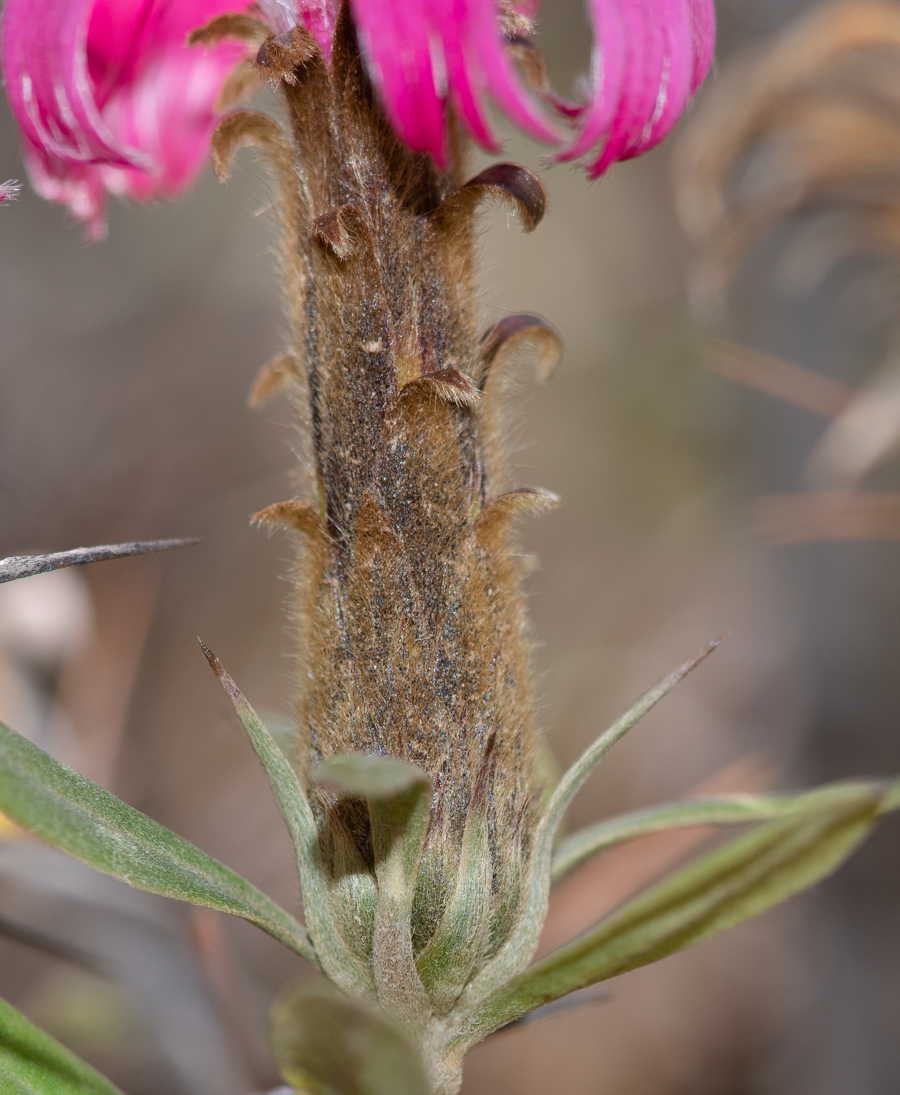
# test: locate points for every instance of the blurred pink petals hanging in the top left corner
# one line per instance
(110, 98)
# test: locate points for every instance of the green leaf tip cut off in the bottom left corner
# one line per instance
(34, 1064)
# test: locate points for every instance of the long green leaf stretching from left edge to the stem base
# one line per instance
(50, 800)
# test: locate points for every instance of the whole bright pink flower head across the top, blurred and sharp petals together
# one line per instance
(111, 99)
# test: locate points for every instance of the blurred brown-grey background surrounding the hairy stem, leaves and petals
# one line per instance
(695, 504)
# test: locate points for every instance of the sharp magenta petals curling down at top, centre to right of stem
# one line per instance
(650, 57)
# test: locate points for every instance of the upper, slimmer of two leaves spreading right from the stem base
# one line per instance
(694, 813)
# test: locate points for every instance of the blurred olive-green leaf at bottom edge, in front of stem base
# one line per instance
(328, 1045)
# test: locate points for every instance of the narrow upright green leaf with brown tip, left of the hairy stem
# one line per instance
(331, 951)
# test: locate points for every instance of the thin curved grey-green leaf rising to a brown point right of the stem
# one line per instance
(523, 943)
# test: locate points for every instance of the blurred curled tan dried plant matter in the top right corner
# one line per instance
(810, 123)
